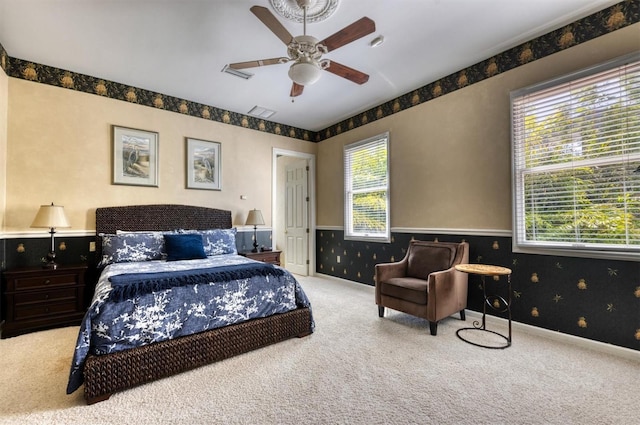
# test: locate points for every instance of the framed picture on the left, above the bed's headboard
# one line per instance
(135, 157)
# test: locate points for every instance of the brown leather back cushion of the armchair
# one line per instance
(427, 258)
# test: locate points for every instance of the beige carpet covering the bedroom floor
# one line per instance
(355, 369)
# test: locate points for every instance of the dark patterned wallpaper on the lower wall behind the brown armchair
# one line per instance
(594, 299)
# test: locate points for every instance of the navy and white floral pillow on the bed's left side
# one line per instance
(129, 247)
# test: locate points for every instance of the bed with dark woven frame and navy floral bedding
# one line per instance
(114, 351)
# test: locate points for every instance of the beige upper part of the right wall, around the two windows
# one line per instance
(450, 157)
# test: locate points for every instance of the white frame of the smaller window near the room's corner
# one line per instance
(349, 233)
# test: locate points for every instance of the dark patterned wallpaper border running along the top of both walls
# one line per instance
(610, 19)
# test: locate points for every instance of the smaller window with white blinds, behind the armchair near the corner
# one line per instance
(366, 189)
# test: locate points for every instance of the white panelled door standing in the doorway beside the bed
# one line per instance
(296, 220)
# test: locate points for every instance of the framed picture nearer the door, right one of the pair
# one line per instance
(203, 165)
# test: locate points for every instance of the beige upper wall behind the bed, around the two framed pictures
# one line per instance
(59, 150)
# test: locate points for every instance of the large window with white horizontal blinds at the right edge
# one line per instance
(576, 162)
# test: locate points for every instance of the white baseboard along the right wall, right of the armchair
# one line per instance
(590, 344)
